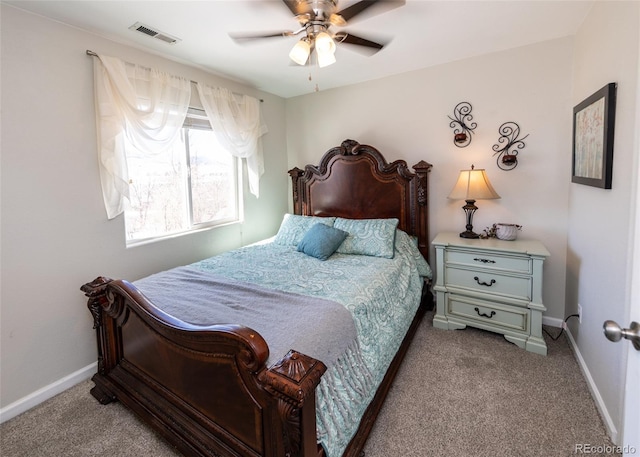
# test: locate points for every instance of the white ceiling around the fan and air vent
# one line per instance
(422, 34)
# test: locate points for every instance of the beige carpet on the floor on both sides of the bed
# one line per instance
(458, 393)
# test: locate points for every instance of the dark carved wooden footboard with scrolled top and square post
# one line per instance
(206, 389)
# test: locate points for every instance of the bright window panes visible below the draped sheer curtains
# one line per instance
(193, 185)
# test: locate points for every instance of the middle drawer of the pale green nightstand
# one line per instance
(489, 282)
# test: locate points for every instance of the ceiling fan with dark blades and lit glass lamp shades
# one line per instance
(316, 17)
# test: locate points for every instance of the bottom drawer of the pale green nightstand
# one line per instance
(489, 314)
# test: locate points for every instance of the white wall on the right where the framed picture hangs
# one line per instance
(599, 230)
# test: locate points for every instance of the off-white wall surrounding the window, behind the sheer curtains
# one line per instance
(55, 234)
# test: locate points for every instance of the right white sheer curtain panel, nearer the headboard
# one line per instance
(236, 121)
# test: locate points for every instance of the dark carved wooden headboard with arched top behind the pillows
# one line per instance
(355, 181)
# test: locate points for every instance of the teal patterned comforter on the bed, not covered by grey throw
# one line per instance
(382, 295)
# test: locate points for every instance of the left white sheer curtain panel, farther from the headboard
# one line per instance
(143, 106)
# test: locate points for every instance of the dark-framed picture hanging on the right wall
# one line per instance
(593, 125)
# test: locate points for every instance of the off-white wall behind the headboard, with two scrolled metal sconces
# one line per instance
(406, 117)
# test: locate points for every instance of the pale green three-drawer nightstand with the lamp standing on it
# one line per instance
(491, 284)
